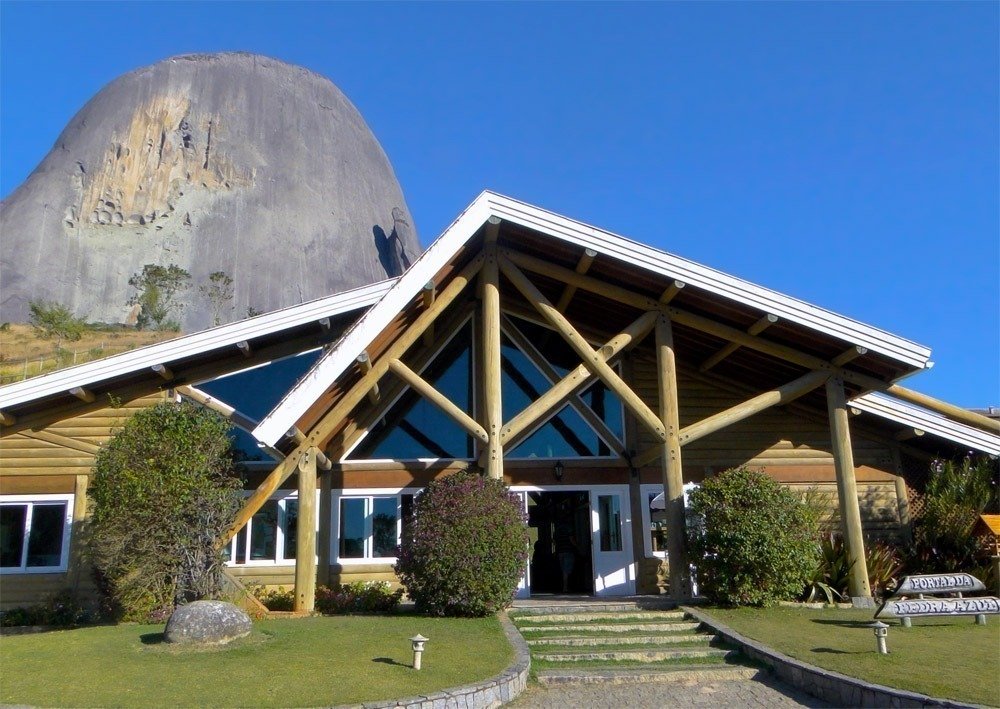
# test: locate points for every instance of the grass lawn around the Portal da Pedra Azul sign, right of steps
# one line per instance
(944, 657)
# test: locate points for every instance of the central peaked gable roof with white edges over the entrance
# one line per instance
(888, 356)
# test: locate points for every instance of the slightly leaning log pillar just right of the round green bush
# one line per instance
(847, 489)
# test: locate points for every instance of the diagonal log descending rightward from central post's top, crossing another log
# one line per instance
(594, 362)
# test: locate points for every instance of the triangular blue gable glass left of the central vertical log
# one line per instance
(416, 429)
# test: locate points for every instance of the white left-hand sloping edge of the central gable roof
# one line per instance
(335, 361)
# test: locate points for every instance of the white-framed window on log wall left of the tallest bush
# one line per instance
(34, 534)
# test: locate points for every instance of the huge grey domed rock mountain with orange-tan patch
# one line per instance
(213, 162)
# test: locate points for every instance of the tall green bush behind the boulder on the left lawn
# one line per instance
(164, 489)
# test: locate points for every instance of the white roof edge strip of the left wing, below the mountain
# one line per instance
(90, 373)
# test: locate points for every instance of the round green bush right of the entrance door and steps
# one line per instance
(753, 540)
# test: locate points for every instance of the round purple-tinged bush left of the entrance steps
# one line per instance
(465, 548)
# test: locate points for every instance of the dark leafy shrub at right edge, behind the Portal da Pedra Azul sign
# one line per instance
(955, 495)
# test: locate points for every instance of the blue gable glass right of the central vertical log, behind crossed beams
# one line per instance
(565, 435)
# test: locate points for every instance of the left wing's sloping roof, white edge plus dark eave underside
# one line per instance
(194, 356)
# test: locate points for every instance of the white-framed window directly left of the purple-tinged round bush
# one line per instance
(369, 526)
